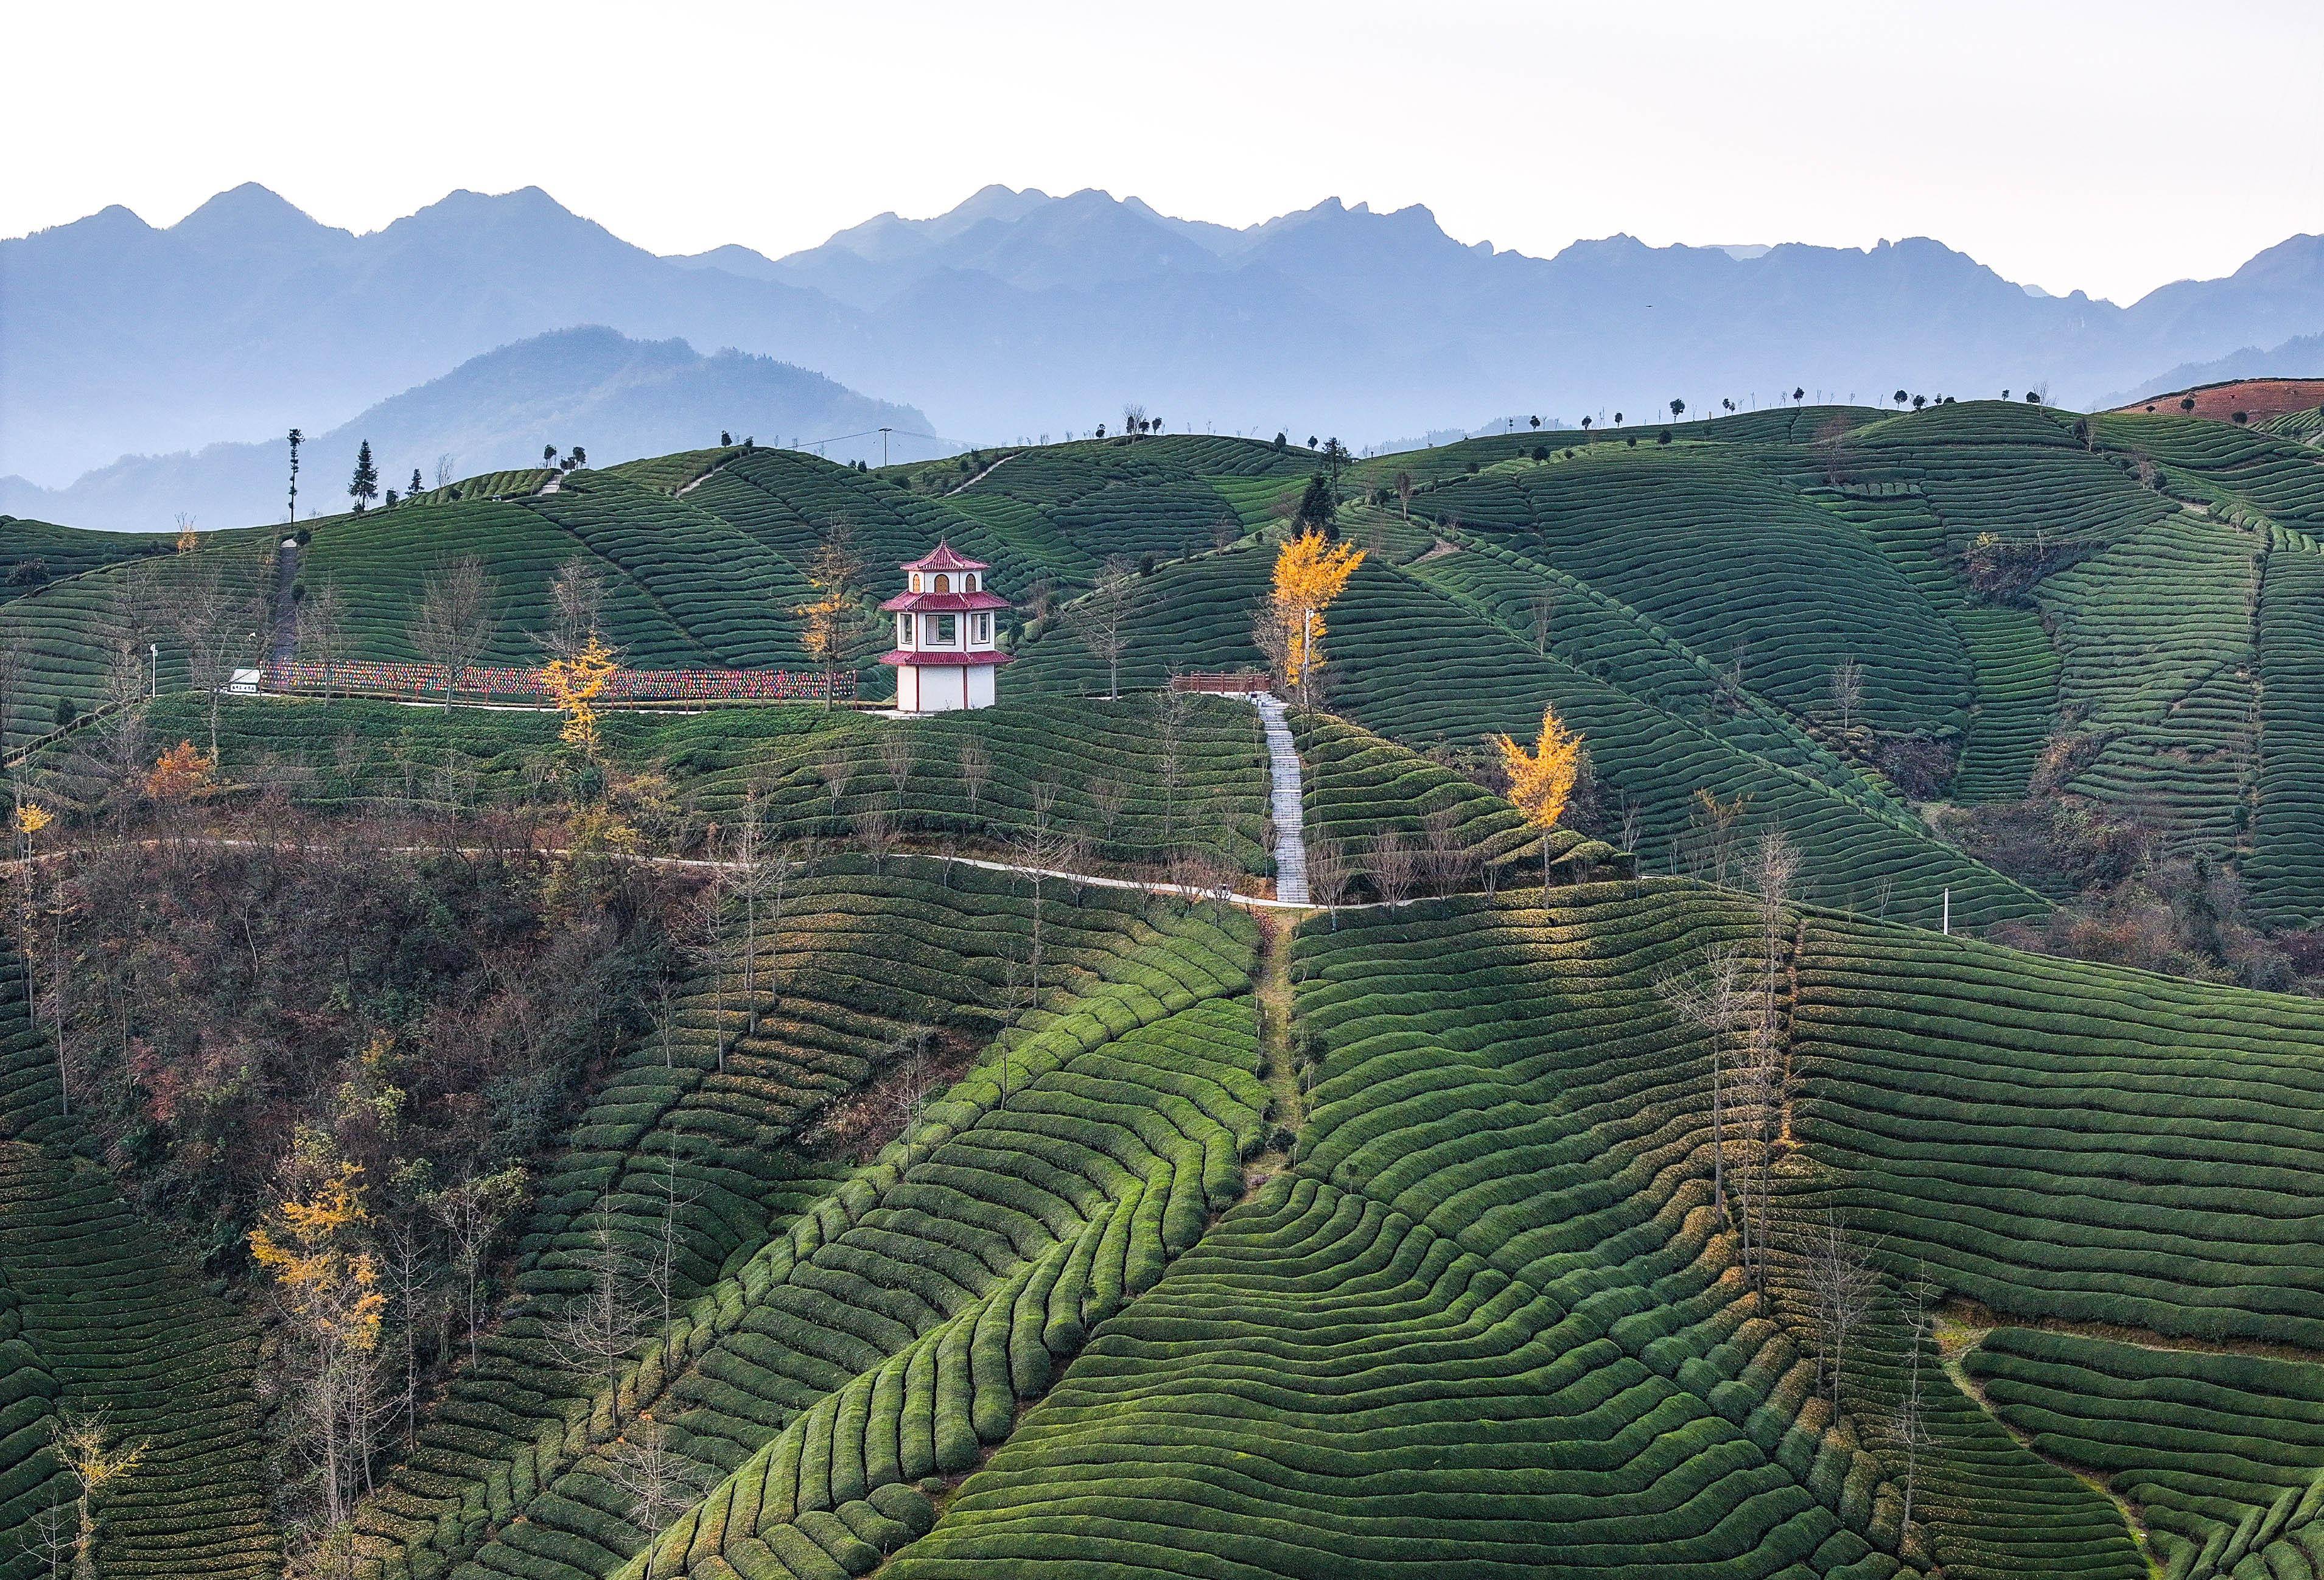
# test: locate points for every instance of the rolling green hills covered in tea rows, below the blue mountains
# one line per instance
(1005, 1184)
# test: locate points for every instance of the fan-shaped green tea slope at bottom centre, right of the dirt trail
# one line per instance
(1482, 1326)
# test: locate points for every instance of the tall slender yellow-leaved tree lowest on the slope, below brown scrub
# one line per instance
(317, 1249)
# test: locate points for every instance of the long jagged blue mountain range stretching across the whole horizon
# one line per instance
(1021, 315)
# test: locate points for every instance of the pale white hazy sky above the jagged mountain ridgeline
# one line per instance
(2109, 148)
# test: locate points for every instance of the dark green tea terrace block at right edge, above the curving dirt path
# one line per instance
(2063, 1140)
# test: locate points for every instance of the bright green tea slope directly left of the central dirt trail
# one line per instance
(1103, 1168)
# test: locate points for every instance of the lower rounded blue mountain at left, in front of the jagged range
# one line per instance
(591, 387)
